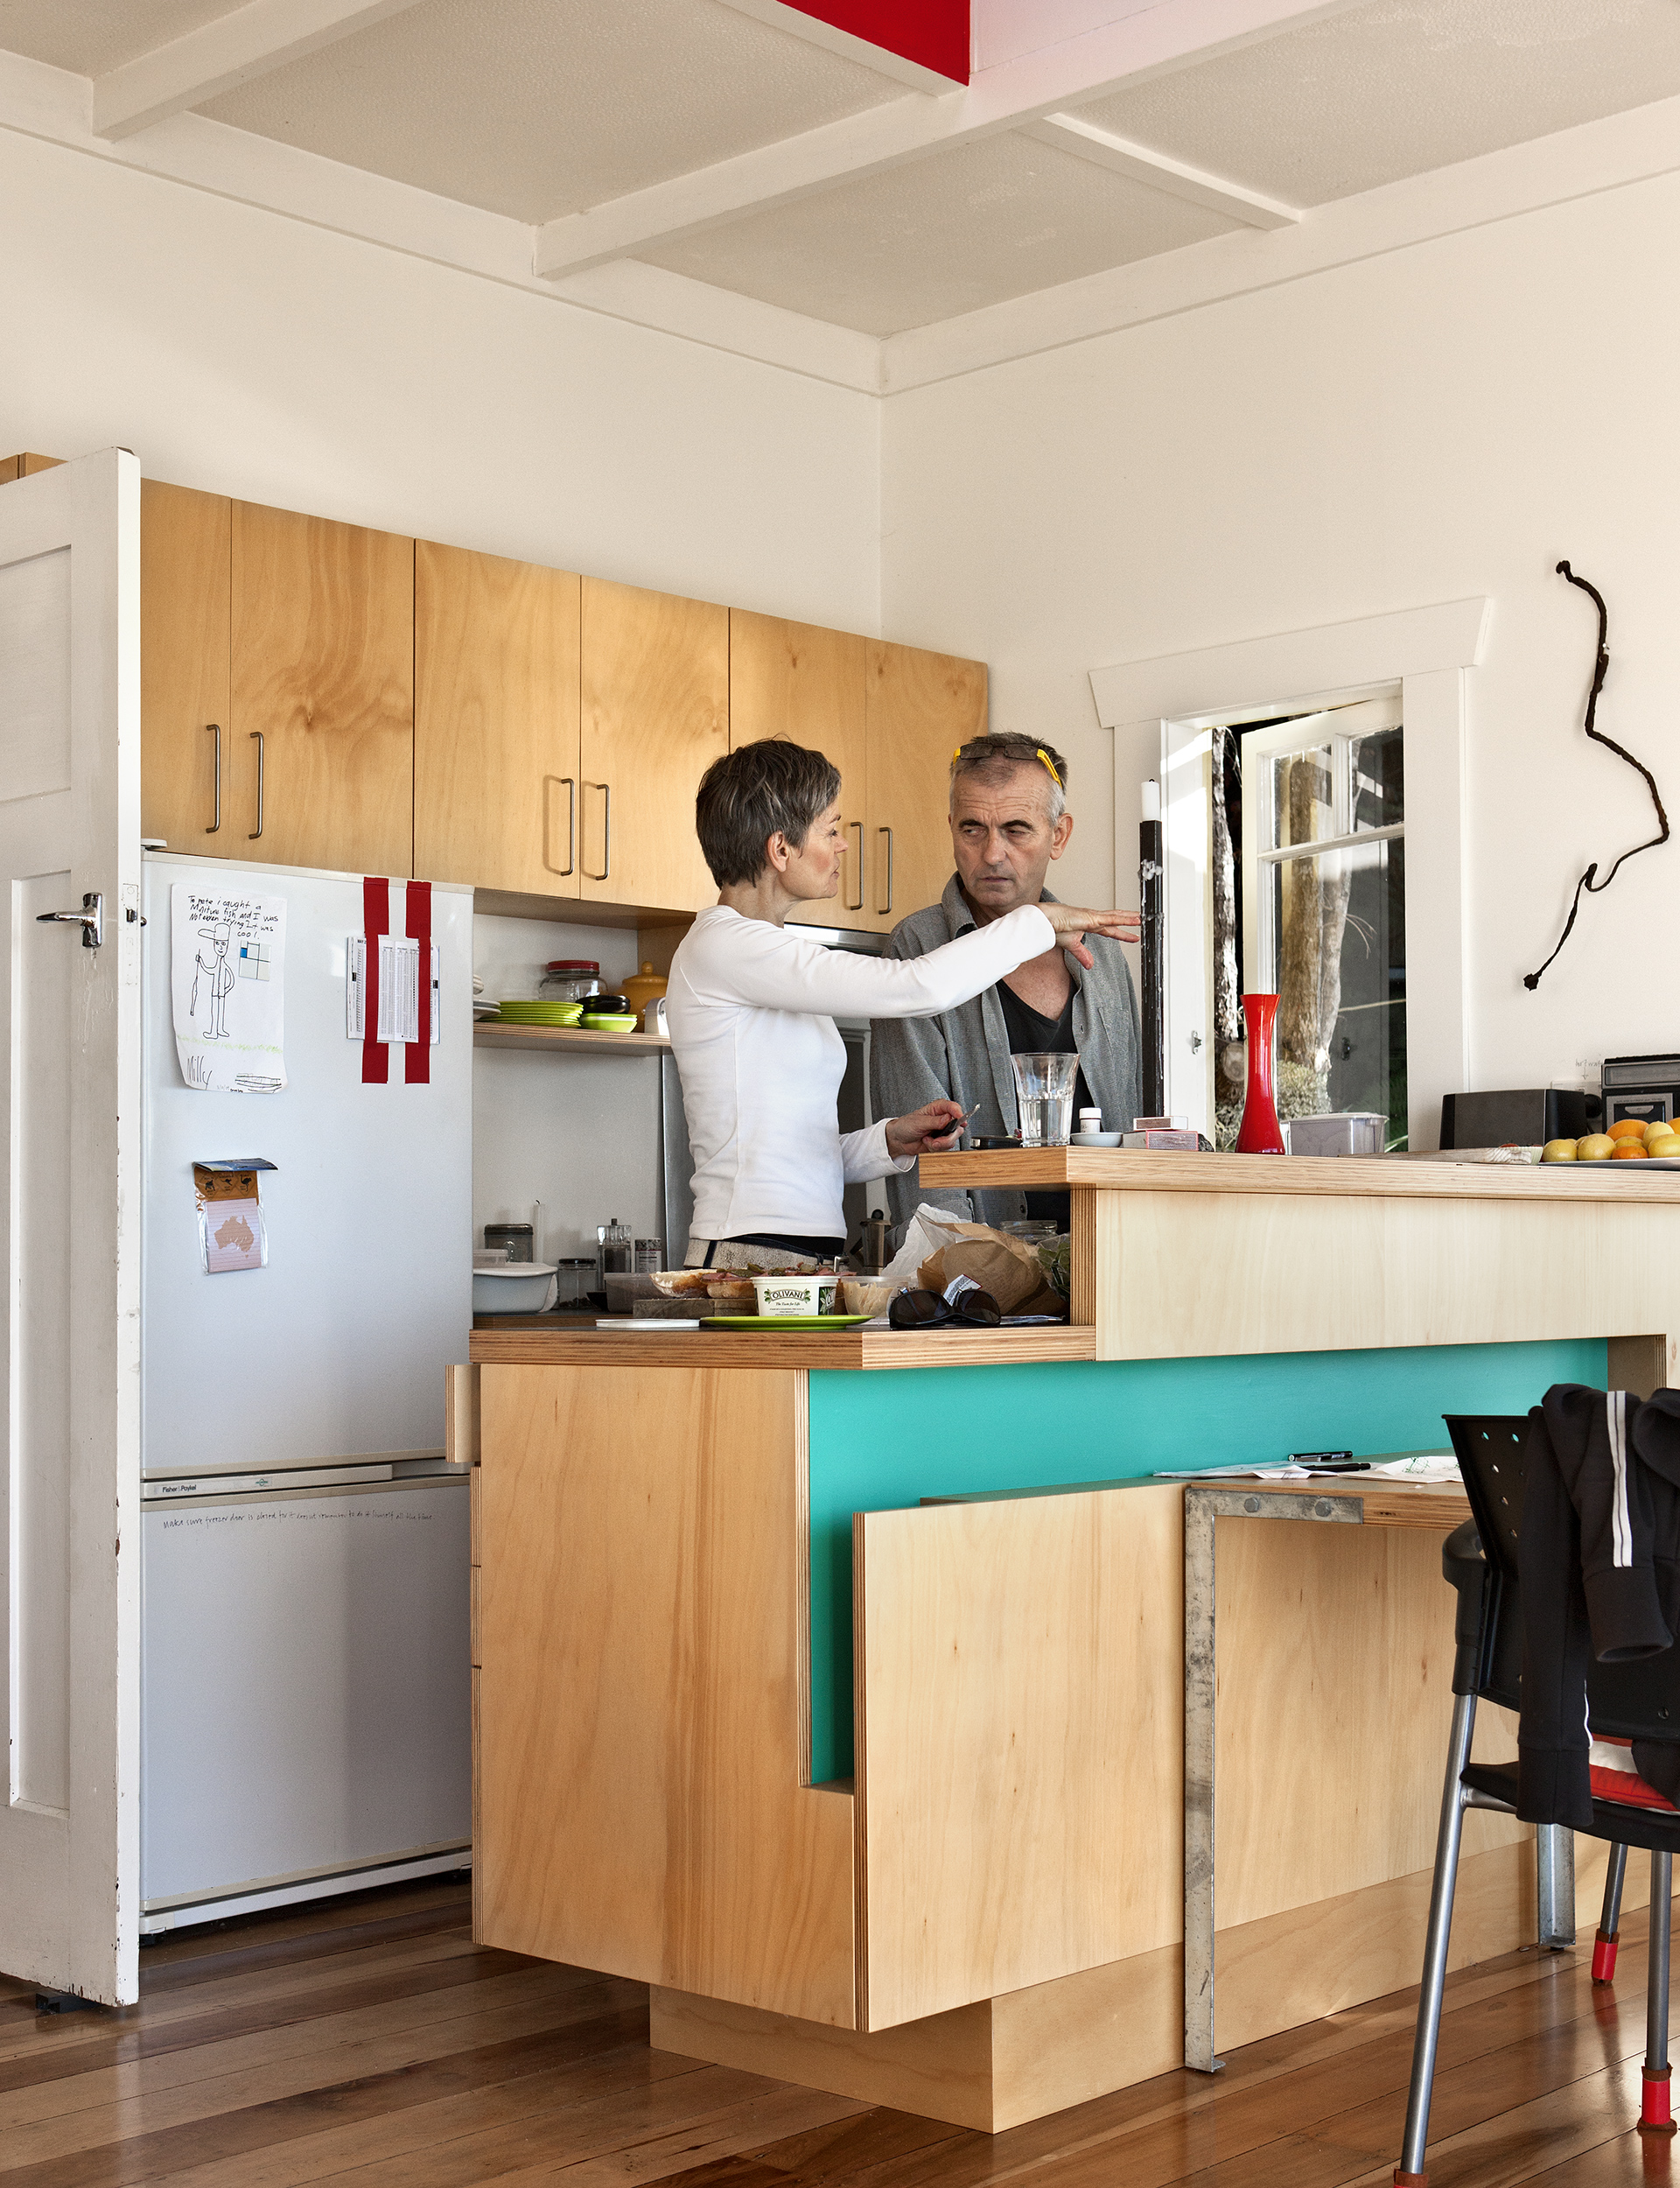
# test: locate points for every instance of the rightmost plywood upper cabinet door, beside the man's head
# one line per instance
(920, 708)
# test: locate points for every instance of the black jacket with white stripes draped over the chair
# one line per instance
(1600, 1570)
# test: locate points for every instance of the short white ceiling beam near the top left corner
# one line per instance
(224, 54)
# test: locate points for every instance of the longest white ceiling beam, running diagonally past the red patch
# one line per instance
(1147, 40)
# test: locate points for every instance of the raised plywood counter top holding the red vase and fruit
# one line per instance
(1309, 1178)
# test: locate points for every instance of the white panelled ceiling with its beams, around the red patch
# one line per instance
(848, 205)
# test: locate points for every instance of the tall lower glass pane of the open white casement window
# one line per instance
(1342, 984)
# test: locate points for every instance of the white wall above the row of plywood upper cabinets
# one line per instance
(255, 356)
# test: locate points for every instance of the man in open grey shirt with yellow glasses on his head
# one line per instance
(1010, 819)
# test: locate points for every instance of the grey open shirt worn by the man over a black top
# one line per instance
(966, 1054)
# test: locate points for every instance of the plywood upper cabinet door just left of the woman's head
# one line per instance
(655, 719)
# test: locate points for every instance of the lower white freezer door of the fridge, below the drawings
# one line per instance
(305, 1688)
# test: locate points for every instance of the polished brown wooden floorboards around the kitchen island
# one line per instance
(371, 2045)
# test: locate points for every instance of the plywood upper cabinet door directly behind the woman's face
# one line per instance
(808, 686)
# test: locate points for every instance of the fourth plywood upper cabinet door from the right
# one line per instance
(495, 723)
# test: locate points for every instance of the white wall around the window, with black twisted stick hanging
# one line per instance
(1421, 428)
